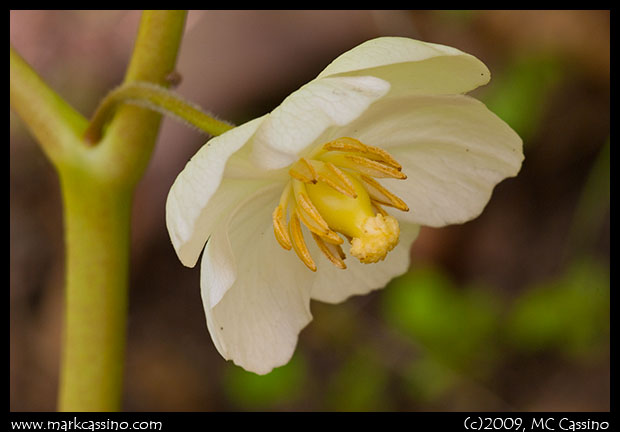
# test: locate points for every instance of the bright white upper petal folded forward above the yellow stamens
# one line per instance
(305, 114)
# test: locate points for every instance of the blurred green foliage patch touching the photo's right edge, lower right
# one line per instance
(570, 314)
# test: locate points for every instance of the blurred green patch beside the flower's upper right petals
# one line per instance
(519, 93)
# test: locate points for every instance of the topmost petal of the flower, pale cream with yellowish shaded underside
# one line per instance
(411, 66)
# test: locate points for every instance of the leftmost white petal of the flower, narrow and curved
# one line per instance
(198, 198)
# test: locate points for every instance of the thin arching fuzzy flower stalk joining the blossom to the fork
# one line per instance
(156, 98)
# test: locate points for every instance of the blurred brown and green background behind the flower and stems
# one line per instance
(507, 312)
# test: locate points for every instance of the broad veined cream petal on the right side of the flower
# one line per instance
(452, 148)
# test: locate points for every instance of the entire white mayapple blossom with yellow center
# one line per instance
(280, 199)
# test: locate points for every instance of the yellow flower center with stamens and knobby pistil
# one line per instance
(334, 192)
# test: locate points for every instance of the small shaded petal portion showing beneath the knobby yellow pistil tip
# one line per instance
(333, 285)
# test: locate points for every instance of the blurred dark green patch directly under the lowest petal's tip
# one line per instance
(264, 392)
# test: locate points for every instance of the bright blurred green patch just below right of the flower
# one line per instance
(455, 326)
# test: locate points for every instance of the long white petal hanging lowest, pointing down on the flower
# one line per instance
(255, 294)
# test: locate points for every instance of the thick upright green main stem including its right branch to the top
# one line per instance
(97, 186)
